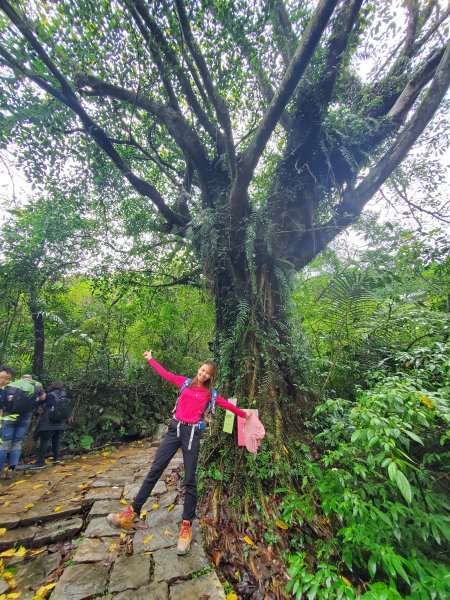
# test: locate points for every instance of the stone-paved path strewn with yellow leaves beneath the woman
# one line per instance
(55, 542)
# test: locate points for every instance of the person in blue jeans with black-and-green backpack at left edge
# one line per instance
(18, 405)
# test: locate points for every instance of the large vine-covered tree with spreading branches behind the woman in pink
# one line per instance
(243, 128)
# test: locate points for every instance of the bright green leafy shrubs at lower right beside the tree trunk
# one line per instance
(378, 487)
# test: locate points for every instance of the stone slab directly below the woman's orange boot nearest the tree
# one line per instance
(171, 567)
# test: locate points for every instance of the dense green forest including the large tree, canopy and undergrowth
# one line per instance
(198, 175)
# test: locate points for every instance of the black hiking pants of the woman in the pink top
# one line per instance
(169, 445)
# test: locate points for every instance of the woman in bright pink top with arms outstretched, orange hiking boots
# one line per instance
(196, 397)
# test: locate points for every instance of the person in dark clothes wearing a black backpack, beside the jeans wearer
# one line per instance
(52, 423)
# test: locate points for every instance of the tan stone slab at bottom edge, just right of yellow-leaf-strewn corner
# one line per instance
(81, 581)
